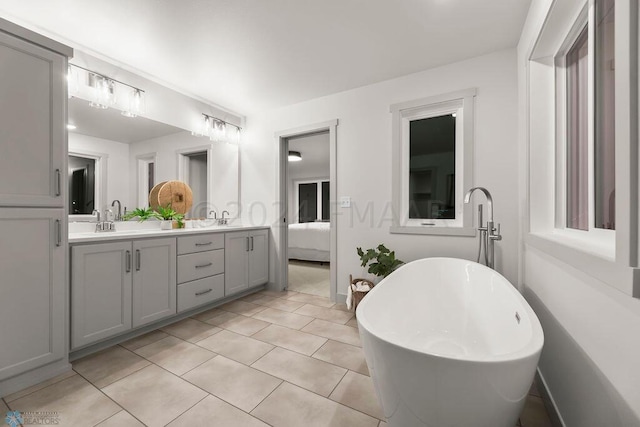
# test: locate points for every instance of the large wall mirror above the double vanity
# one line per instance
(113, 157)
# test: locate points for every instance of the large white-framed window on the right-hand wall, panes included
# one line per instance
(581, 123)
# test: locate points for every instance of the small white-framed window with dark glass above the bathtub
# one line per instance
(432, 164)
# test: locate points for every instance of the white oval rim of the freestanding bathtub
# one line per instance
(531, 348)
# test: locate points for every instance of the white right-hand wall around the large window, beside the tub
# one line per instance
(591, 358)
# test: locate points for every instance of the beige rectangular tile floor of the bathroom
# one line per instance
(269, 359)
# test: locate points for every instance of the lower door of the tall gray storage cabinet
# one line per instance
(32, 289)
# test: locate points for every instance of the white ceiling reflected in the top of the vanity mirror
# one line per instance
(112, 125)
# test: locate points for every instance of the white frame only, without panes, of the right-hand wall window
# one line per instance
(609, 256)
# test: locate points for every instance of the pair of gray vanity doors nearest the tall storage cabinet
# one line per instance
(121, 285)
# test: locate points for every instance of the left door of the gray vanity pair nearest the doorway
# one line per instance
(236, 258)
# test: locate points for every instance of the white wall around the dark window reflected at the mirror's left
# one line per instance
(117, 186)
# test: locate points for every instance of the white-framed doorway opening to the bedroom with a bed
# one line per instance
(306, 197)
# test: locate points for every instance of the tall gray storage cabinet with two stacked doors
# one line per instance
(33, 242)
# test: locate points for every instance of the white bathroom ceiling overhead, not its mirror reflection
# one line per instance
(251, 55)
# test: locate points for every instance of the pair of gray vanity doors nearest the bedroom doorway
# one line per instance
(246, 260)
